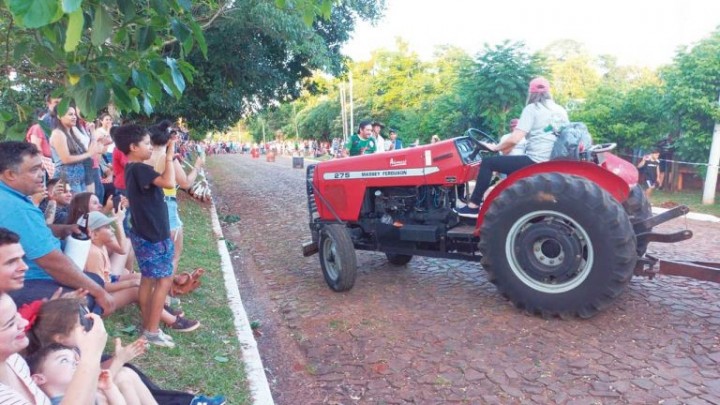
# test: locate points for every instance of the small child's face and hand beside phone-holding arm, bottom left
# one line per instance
(53, 367)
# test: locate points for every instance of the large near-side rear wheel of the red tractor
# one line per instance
(558, 245)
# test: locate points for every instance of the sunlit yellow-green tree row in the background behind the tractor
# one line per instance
(633, 106)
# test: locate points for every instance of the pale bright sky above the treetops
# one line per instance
(637, 32)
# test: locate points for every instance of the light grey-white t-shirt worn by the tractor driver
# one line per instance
(539, 121)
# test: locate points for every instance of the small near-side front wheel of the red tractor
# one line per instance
(337, 257)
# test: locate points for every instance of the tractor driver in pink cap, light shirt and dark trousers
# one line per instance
(538, 120)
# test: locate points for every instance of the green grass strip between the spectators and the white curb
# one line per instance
(207, 360)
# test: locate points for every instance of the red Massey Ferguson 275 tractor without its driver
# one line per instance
(560, 238)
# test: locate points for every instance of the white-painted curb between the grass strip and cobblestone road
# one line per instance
(257, 381)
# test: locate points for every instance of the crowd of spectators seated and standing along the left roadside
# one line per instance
(112, 190)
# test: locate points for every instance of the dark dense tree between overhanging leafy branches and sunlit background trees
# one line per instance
(259, 55)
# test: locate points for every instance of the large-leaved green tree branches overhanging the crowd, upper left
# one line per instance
(95, 52)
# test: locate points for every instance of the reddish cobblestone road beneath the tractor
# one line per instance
(438, 332)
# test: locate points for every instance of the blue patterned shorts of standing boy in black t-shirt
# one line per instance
(154, 258)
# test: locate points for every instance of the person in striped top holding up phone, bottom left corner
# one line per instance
(16, 385)
